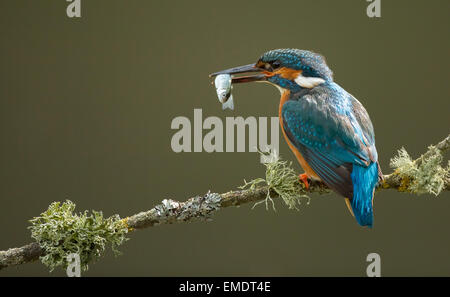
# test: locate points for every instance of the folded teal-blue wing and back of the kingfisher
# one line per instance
(333, 132)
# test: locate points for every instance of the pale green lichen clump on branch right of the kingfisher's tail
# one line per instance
(425, 175)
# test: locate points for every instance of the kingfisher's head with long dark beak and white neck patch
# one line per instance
(288, 69)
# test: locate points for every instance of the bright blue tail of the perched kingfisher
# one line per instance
(364, 181)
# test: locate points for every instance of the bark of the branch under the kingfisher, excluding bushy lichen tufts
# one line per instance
(203, 207)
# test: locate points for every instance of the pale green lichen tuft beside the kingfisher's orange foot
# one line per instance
(282, 179)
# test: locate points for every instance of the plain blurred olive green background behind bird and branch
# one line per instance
(86, 108)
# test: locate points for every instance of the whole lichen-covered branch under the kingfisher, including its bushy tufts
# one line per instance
(59, 232)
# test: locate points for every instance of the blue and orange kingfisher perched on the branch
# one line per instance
(328, 130)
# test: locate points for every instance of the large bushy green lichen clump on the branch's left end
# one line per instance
(60, 232)
